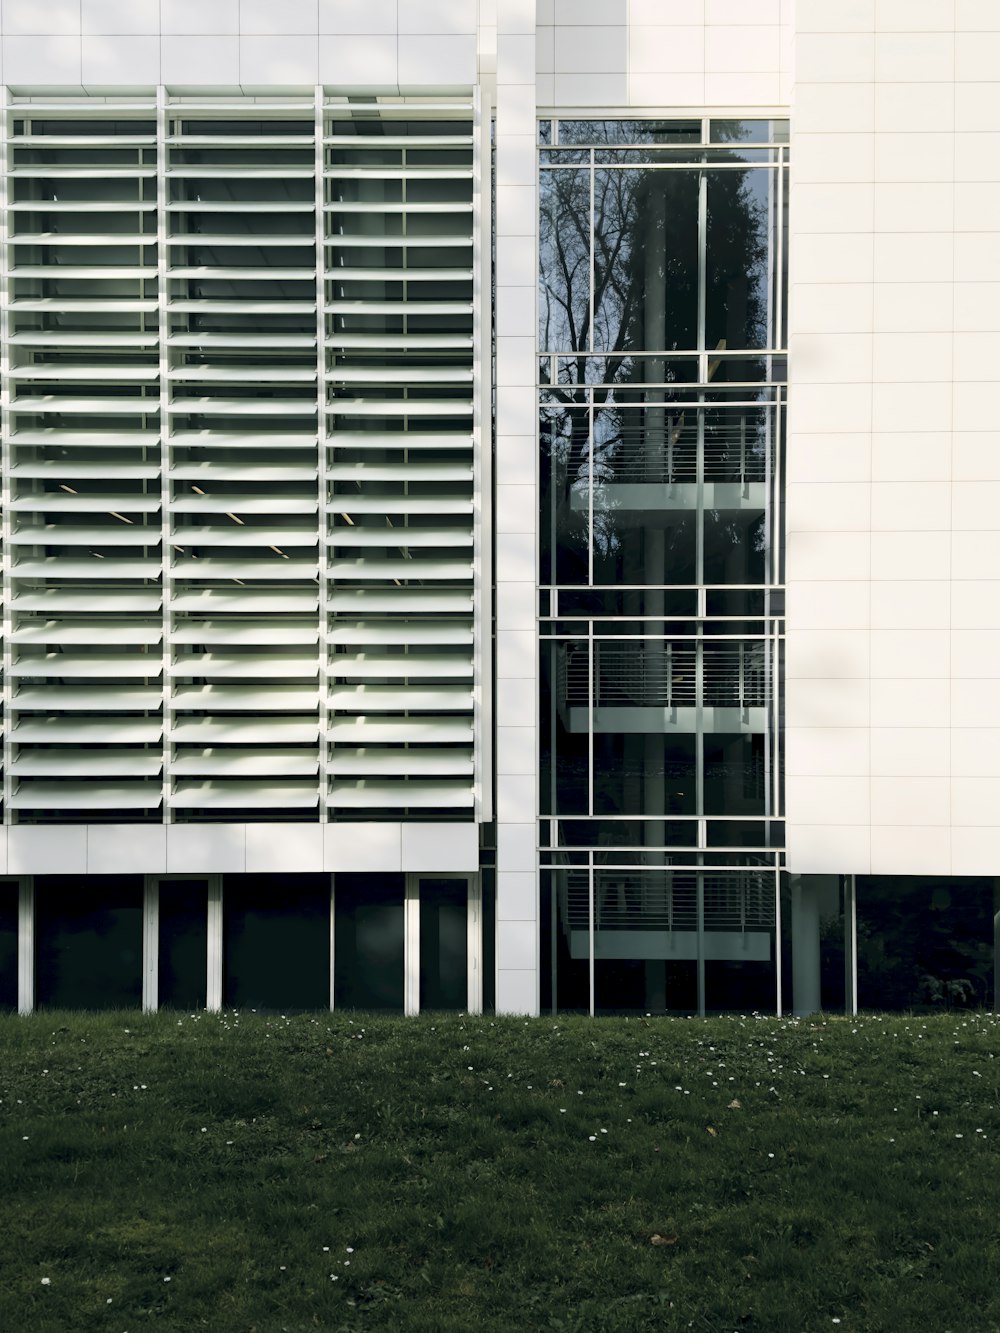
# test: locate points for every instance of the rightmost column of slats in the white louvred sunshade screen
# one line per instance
(399, 267)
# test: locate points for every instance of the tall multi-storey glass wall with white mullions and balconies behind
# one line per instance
(662, 383)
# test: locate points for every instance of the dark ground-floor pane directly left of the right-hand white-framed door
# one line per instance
(370, 940)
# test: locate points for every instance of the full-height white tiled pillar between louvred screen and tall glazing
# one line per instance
(517, 514)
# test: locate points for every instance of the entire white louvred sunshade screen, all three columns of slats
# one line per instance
(239, 459)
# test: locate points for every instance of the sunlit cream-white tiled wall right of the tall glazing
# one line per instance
(893, 101)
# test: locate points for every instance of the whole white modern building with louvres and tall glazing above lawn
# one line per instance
(501, 505)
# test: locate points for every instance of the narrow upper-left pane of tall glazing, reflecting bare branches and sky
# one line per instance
(565, 262)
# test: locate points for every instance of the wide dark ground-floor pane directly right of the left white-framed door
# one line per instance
(277, 942)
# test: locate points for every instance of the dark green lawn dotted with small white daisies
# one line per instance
(451, 1174)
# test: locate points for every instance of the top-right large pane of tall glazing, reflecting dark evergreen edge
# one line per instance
(737, 278)
